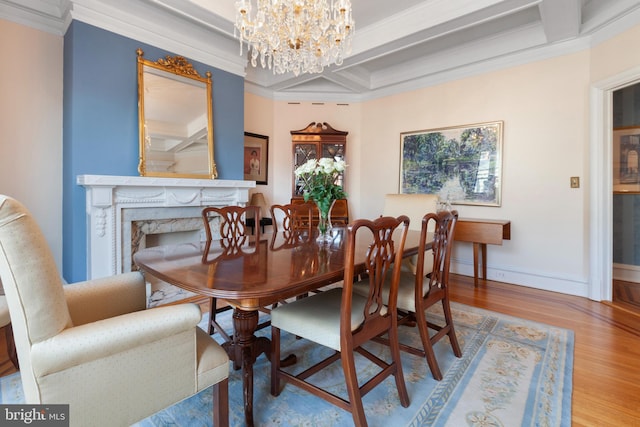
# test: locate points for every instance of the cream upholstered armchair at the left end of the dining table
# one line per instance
(94, 345)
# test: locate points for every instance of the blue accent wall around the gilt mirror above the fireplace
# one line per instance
(100, 123)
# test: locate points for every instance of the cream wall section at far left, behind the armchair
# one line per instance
(31, 124)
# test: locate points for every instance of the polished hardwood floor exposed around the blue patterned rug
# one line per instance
(606, 372)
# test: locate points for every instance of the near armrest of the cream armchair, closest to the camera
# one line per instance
(82, 344)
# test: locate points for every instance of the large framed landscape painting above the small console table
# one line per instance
(461, 164)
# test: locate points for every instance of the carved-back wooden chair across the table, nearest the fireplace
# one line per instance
(233, 232)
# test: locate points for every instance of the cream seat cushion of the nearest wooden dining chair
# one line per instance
(317, 318)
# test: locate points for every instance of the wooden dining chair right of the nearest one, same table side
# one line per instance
(417, 293)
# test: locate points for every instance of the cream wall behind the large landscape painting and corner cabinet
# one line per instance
(544, 106)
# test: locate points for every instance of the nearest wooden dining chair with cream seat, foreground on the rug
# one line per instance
(344, 321)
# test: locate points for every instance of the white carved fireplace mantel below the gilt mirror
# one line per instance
(110, 198)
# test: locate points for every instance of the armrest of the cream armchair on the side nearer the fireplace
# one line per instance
(106, 297)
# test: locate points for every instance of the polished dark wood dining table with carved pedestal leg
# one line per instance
(262, 271)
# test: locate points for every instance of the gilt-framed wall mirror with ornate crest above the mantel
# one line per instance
(175, 116)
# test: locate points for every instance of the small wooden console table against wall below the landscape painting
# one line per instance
(481, 232)
